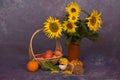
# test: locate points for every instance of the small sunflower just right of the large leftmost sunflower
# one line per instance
(69, 26)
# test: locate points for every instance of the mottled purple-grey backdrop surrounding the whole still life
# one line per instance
(20, 18)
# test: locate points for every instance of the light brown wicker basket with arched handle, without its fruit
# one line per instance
(32, 55)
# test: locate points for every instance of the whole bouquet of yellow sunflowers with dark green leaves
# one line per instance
(72, 26)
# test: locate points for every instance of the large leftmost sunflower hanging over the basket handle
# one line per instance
(52, 28)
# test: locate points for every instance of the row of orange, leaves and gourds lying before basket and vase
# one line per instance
(67, 68)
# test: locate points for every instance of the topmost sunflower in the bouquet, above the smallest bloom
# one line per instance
(73, 8)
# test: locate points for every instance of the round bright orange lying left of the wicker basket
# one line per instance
(32, 66)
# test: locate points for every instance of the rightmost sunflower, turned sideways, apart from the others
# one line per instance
(94, 21)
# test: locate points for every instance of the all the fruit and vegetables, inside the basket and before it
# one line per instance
(72, 67)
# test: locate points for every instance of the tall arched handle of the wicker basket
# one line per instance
(31, 52)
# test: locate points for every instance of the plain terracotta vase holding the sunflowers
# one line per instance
(73, 51)
